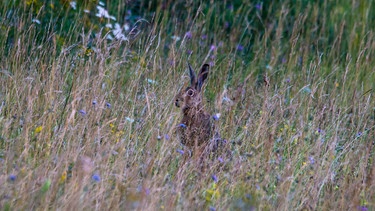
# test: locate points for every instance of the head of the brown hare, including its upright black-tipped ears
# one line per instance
(191, 96)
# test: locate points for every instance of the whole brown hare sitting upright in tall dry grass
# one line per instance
(196, 128)
